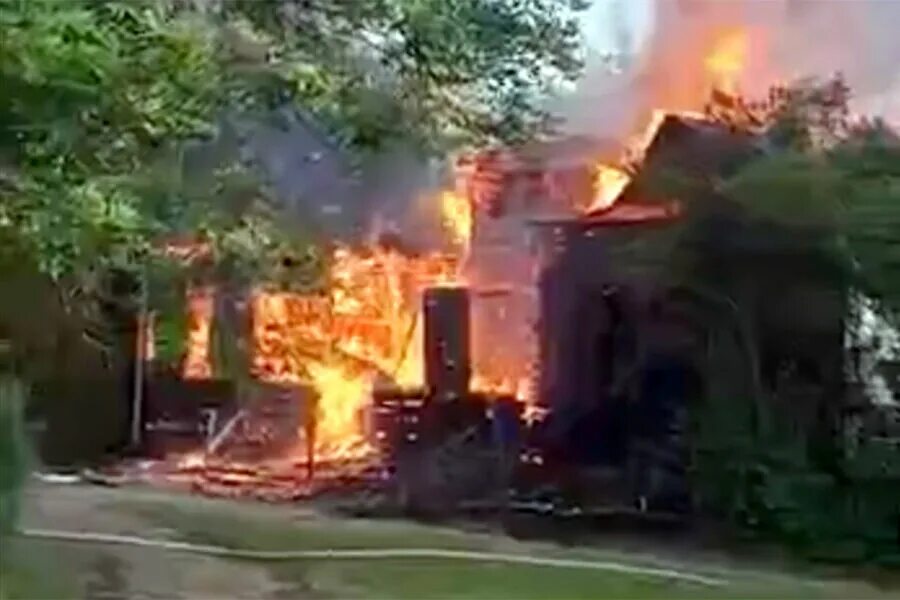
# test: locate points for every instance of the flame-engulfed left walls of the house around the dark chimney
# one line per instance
(366, 325)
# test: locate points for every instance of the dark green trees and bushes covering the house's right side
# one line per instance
(824, 198)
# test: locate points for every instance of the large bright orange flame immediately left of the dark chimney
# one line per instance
(364, 326)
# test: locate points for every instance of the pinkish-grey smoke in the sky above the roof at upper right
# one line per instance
(788, 39)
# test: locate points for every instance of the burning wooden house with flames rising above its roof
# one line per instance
(553, 325)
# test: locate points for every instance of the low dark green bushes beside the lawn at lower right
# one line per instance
(767, 484)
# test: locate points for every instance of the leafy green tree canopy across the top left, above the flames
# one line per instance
(101, 96)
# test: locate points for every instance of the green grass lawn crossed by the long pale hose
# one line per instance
(233, 526)
